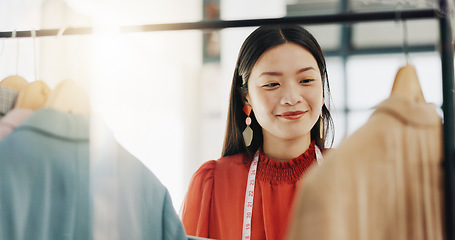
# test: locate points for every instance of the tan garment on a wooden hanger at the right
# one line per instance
(382, 182)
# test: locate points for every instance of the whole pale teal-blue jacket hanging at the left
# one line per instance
(45, 185)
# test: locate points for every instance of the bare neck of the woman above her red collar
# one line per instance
(283, 150)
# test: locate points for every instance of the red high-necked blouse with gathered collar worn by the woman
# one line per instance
(214, 203)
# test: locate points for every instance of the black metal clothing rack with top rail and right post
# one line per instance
(447, 64)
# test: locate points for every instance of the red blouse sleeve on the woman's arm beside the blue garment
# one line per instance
(196, 208)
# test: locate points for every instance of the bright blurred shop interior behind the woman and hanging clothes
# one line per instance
(164, 95)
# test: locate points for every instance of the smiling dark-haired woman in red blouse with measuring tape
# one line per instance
(278, 97)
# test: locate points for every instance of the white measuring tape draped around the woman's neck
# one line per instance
(249, 194)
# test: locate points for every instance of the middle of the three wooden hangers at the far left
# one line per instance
(33, 96)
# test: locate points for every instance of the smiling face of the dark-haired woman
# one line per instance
(285, 92)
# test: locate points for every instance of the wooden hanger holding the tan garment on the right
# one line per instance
(407, 84)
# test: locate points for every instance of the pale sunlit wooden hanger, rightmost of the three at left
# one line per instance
(70, 98)
